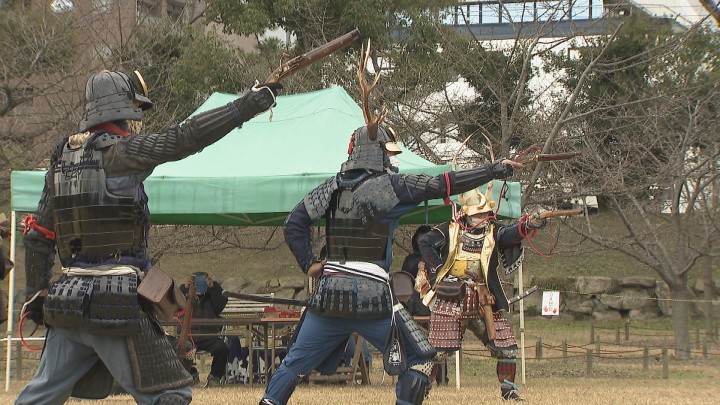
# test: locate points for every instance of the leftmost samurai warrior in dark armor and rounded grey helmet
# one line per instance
(93, 213)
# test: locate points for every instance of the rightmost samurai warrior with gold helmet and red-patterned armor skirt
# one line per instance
(461, 261)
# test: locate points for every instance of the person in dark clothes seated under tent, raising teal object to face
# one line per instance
(209, 303)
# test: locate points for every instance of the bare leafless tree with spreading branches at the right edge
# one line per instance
(646, 122)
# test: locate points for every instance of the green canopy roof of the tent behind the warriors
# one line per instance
(257, 174)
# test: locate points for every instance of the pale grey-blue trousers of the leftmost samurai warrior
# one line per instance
(69, 354)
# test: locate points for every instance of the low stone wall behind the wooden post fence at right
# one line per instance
(605, 298)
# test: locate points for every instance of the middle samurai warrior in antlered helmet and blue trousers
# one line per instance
(362, 206)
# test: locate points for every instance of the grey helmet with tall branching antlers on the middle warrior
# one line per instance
(369, 143)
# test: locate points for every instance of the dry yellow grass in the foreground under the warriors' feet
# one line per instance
(474, 390)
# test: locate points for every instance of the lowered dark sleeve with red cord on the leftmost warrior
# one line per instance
(39, 248)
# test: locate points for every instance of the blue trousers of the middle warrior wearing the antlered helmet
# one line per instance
(318, 337)
